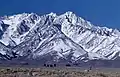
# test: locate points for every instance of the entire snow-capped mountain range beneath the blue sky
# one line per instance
(62, 37)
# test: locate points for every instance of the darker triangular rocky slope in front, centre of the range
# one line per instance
(46, 39)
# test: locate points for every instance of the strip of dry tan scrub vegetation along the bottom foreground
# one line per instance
(53, 72)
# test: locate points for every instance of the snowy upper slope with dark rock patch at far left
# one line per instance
(18, 26)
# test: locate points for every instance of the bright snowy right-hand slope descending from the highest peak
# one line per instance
(99, 40)
